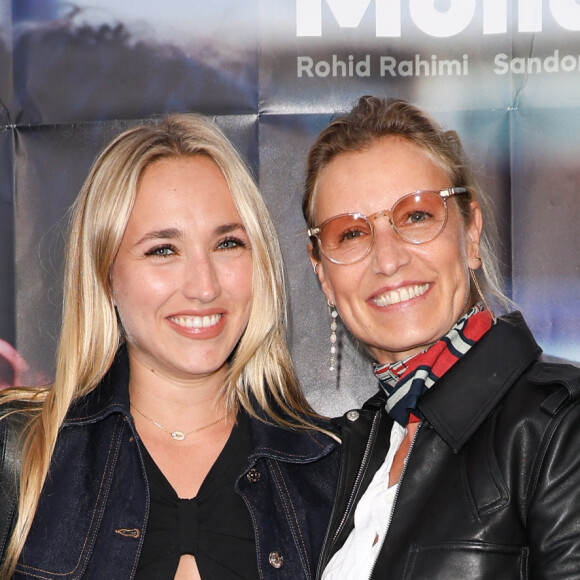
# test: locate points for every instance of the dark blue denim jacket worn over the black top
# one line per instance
(92, 515)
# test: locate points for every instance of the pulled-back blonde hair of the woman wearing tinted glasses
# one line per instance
(372, 119)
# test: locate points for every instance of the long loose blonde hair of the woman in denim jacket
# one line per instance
(260, 373)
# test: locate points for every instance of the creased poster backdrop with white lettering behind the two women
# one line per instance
(504, 73)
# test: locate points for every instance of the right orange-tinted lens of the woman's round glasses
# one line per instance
(419, 217)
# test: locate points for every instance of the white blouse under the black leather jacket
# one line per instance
(356, 558)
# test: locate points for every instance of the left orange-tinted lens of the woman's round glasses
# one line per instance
(346, 239)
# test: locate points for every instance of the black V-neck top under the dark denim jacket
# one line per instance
(215, 526)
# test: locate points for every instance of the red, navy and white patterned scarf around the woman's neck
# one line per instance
(405, 381)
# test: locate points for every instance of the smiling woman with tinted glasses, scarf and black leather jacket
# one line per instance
(466, 464)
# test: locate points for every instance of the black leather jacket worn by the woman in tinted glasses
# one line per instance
(491, 488)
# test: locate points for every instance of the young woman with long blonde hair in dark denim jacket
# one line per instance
(174, 441)
